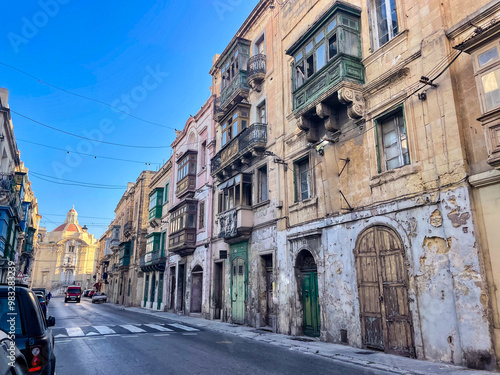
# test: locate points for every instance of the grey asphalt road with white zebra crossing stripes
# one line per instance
(100, 339)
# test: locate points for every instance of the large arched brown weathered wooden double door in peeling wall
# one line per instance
(383, 292)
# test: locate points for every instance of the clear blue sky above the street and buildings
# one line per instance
(148, 58)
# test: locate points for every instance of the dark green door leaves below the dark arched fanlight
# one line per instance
(311, 303)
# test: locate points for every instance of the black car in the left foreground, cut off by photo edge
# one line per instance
(21, 316)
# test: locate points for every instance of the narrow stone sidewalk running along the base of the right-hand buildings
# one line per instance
(367, 358)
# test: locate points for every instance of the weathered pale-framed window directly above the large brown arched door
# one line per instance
(392, 141)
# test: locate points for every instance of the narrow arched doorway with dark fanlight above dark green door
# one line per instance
(308, 283)
